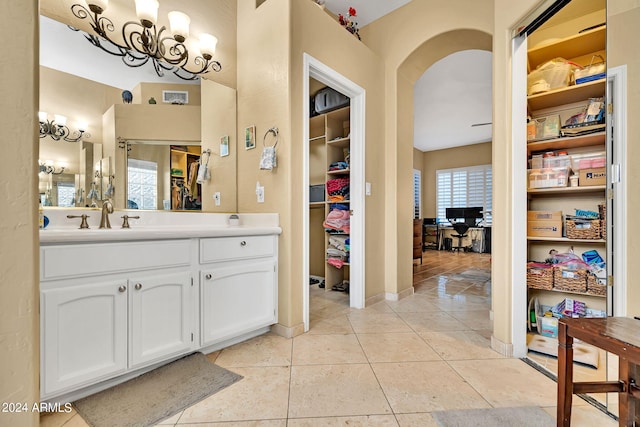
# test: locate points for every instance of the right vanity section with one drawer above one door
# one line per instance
(238, 286)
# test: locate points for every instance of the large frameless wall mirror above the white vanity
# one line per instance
(142, 155)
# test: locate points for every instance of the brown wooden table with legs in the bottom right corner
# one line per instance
(617, 335)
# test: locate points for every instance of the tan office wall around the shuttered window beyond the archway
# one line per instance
(458, 157)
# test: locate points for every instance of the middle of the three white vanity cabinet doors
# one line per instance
(161, 317)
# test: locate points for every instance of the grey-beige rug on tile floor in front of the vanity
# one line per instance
(156, 395)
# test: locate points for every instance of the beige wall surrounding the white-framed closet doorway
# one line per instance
(316, 33)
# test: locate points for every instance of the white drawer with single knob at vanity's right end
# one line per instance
(230, 248)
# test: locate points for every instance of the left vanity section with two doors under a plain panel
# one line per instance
(95, 327)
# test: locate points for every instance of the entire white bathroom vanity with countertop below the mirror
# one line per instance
(117, 302)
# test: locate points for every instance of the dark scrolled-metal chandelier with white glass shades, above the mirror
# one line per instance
(142, 41)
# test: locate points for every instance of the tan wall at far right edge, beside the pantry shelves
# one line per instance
(622, 36)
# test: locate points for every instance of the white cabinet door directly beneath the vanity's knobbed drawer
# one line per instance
(237, 300)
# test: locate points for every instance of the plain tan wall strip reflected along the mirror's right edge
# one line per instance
(218, 118)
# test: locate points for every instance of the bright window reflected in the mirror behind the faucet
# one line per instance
(142, 188)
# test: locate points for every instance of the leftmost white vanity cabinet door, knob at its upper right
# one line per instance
(83, 334)
